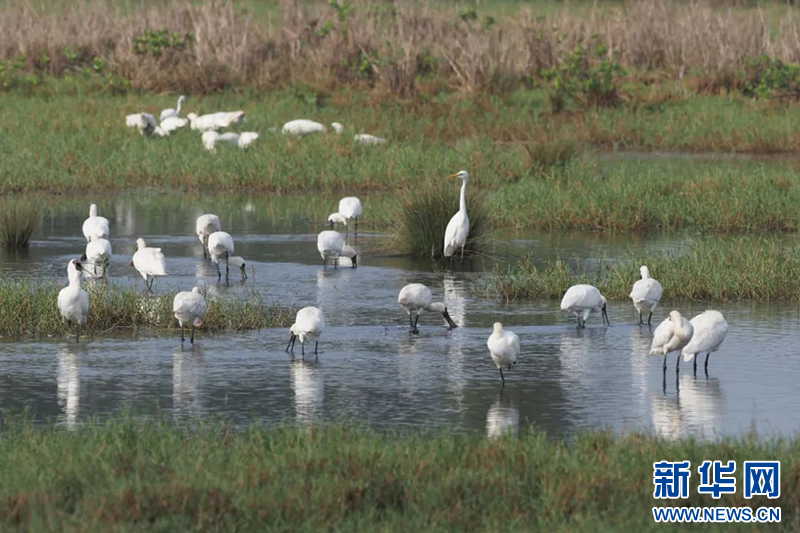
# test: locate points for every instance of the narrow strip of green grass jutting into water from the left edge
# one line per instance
(30, 309)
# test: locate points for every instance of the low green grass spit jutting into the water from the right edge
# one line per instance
(747, 268)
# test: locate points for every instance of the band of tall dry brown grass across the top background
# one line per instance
(399, 47)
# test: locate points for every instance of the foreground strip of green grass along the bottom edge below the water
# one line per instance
(152, 476)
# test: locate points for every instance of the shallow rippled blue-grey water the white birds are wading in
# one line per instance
(369, 367)
